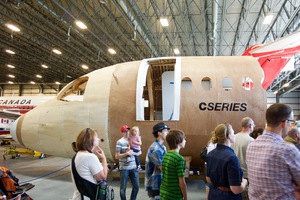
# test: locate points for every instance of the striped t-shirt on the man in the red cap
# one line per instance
(128, 162)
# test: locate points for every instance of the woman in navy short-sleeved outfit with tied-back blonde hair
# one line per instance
(223, 169)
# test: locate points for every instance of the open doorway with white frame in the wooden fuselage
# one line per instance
(158, 89)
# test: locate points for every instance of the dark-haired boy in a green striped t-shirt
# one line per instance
(173, 184)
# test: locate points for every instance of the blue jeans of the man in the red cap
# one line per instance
(135, 182)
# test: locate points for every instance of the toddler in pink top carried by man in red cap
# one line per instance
(135, 142)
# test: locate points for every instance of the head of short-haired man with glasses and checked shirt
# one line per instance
(280, 116)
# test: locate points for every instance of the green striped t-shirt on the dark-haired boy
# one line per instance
(173, 168)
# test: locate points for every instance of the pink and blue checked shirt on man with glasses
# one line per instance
(273, 168)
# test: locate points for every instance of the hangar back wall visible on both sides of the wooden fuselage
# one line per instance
(292, 98)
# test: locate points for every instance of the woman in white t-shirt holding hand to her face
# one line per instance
(86, 160)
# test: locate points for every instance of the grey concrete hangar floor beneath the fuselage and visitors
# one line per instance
(52, 178)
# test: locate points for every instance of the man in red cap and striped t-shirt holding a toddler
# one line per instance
(127, 165)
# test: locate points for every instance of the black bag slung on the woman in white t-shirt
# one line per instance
(89, 189)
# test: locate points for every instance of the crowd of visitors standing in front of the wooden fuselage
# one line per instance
(256, 163)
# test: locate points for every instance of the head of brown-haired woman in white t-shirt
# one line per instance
(87, 139)
